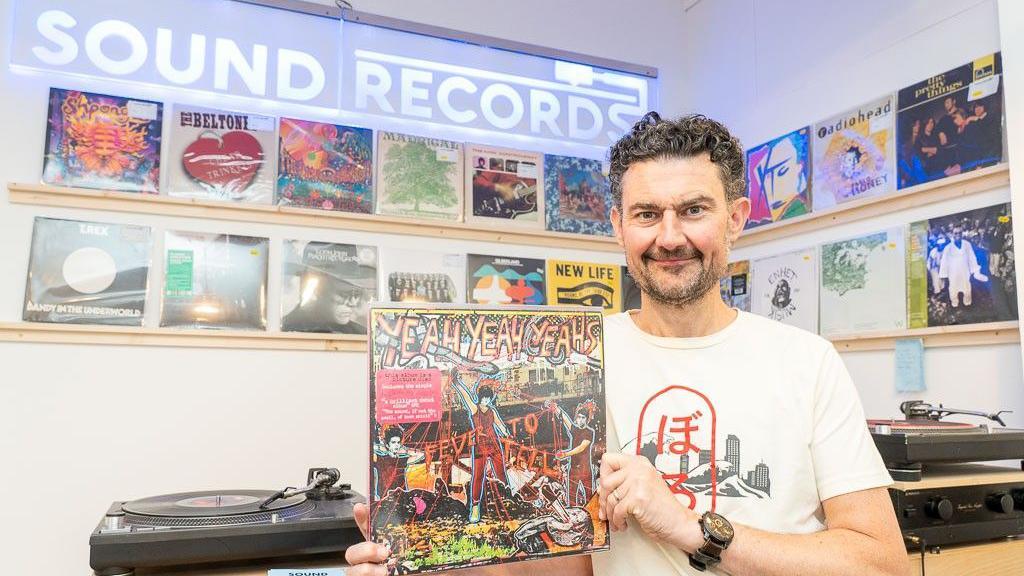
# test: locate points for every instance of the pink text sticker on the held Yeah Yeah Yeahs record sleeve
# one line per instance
(408, 396)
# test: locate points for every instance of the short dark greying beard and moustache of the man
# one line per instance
(706, 279)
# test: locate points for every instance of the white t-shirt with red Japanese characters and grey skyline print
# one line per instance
(774, 422)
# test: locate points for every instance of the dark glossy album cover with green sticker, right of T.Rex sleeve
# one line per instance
(215, 281)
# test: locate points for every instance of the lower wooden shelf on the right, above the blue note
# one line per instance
(940, 337)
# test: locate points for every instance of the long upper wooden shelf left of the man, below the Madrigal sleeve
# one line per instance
(41, 195)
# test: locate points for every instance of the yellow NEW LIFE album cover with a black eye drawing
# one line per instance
(585, 284)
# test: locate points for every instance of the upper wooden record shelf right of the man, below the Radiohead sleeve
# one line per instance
(955, 187)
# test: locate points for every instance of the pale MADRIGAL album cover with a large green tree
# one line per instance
(419, 177)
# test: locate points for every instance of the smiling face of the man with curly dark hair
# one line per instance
(676, 228)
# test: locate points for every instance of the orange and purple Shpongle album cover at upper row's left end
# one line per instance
(101, 142)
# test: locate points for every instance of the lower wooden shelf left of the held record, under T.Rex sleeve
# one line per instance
(84, 335)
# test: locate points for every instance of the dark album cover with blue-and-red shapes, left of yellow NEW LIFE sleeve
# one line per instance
(504, 280)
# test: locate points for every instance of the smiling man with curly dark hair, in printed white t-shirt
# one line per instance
(713, 391)
